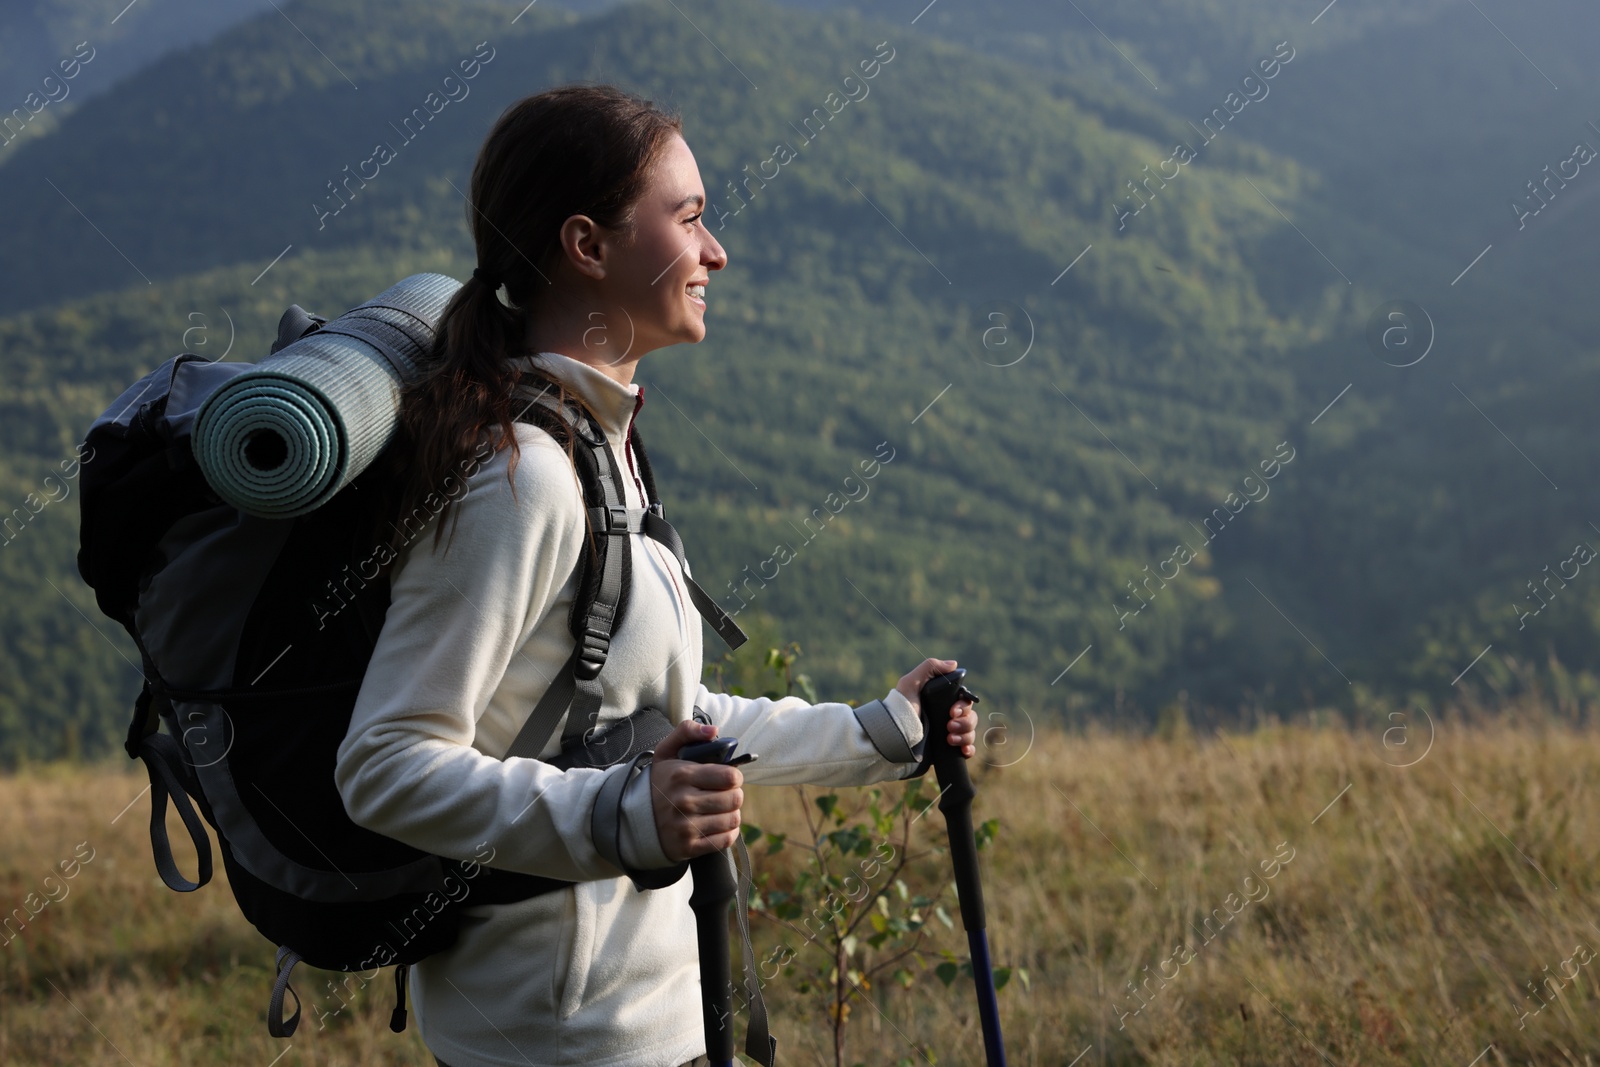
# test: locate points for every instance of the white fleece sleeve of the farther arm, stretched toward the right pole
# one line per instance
(820, 745)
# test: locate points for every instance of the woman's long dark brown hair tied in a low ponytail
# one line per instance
(577, 150)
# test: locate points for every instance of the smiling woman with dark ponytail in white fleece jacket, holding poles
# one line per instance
(586, 207)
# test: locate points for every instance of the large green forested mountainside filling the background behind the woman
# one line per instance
(1161, 372)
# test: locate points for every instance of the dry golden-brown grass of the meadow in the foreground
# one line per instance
(1406, 930)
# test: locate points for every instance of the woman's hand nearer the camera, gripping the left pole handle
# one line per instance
(697, 804)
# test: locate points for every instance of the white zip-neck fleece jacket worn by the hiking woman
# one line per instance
(599, 973)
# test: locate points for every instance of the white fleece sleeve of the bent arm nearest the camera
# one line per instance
(409, 767)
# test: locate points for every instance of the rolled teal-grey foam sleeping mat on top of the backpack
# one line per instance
(281, 439)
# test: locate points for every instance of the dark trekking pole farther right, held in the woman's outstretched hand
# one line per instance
(956, 802)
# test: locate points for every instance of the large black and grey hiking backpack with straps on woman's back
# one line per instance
(255, 639)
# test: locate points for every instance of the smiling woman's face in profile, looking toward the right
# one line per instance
(671, 250)
